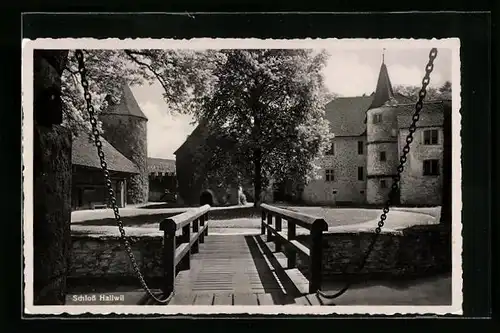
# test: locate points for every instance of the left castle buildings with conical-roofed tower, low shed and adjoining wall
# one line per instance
(136, 178)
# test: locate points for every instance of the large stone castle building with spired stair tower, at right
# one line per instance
(370, 133)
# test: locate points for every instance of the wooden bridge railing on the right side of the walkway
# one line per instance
(314, 252)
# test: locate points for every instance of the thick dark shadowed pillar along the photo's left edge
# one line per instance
(51, 182)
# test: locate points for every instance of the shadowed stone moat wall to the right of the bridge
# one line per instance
(415, 251)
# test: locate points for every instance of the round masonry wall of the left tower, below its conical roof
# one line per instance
(128, 134)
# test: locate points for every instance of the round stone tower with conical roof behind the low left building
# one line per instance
(125, 127)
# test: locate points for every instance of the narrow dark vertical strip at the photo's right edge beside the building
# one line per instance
(447, 168)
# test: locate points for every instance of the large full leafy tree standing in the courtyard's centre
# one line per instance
(268, 110)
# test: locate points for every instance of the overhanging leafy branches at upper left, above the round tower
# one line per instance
(186, 77)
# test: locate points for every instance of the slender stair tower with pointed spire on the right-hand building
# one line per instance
(382, 142)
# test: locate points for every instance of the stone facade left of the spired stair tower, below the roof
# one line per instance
(345, 163)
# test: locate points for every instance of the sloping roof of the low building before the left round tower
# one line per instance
(84, 153)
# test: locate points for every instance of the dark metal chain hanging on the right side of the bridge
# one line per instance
(397, 178)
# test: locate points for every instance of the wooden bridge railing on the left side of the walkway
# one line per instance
(177, 250)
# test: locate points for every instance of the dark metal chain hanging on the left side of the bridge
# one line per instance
(109, 185)
